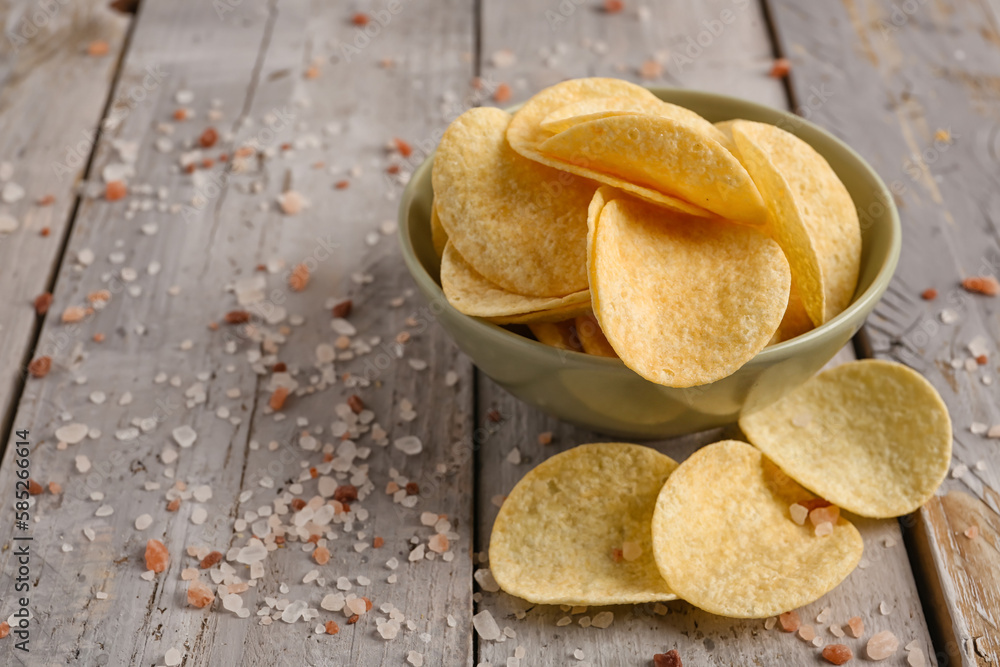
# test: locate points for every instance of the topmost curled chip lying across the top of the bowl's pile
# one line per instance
(664, 155)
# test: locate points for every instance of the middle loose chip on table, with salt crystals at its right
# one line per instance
(725, 541)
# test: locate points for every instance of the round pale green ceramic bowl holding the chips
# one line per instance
(602, 394)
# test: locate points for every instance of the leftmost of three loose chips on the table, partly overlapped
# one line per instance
(576, 529)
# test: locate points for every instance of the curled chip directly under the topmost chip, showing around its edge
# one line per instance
(525, 132)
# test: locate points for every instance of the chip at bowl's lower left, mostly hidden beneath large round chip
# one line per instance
(472, 294)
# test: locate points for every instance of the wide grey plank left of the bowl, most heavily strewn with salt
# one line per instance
(252, 60)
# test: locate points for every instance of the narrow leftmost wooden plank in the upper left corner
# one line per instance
(52, 96)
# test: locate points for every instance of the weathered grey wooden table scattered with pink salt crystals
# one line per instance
(914, 86)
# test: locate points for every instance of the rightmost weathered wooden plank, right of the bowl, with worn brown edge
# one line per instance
(913, 87)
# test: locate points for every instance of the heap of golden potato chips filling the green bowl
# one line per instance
(692, 245)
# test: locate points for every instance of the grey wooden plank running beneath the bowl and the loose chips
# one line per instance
(735, 61)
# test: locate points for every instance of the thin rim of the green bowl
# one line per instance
(768, 354)
